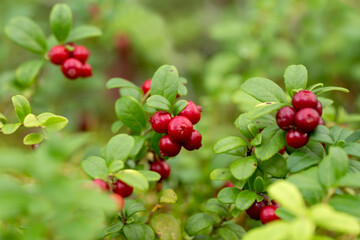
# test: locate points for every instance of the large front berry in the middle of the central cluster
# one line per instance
(180, 129)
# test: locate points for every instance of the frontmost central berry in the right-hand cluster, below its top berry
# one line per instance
(307, 119)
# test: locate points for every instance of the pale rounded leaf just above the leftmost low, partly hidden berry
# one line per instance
(95, 167)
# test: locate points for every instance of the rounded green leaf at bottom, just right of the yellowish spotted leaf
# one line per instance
(197, 223)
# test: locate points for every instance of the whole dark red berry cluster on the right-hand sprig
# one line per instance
(302, 118)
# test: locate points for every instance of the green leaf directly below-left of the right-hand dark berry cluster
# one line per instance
(273, 140)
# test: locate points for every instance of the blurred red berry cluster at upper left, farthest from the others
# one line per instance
(72, 59)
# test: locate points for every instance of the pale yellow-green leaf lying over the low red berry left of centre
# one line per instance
(133, 178)
